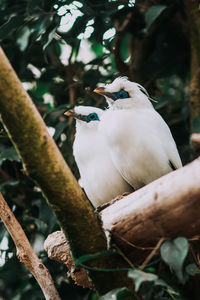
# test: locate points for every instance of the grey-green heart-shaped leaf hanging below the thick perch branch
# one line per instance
(174, 253)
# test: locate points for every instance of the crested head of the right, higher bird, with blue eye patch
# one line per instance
(122, 93)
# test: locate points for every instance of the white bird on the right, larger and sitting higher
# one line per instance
(140, 142)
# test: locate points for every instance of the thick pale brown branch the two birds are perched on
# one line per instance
(168, 207)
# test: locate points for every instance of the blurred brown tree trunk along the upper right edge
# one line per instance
(193, 14)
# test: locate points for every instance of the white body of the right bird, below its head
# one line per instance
(141, 145)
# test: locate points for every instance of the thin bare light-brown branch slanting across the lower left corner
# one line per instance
(26, 254)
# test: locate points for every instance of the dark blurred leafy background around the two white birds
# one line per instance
(61, 50)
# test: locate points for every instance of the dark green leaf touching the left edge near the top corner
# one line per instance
(7, 28)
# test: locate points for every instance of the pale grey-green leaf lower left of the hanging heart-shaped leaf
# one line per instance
(139, 277)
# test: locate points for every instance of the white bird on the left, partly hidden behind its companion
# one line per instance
(100, 179)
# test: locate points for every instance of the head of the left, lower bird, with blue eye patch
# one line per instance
(86, 116)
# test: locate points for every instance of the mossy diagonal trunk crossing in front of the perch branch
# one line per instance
(44, 163)
